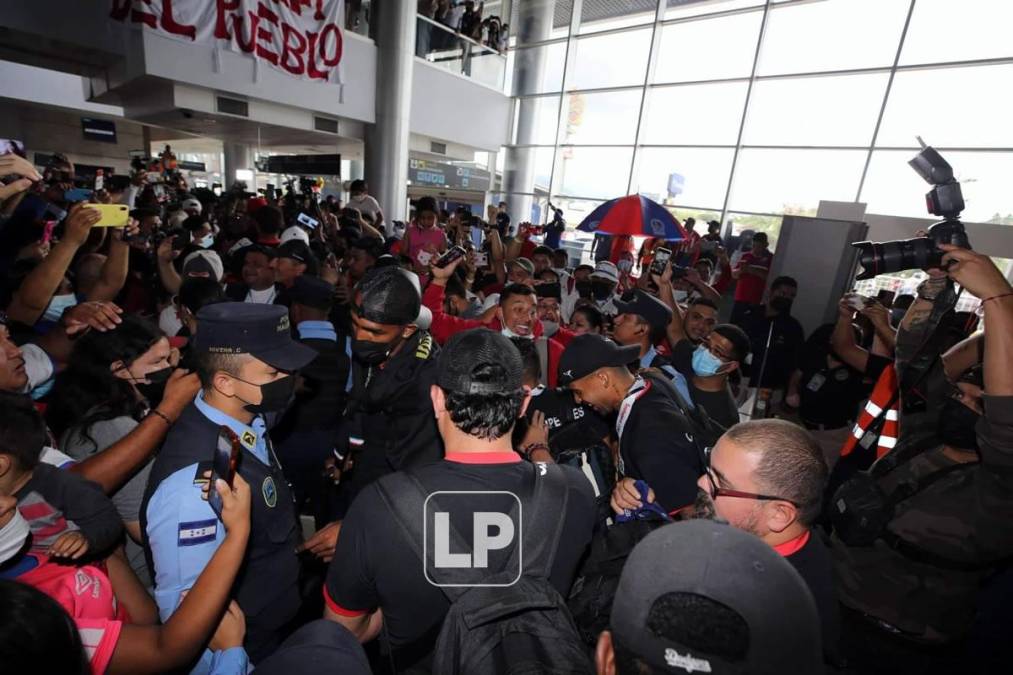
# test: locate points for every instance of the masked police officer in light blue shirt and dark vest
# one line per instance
(247, 359)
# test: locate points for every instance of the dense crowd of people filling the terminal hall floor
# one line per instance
(261, 430)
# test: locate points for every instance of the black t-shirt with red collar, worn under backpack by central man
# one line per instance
(375, 566)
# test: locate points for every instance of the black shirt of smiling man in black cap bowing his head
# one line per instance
(658, 446)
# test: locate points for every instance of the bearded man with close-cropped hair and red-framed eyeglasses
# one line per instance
(767, 478)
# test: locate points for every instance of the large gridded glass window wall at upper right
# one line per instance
(703, 125)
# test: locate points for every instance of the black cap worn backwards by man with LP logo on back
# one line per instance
(467, 352)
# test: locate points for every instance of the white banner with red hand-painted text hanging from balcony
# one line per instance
(301, 38)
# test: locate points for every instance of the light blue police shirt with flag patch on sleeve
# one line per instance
(185, 533)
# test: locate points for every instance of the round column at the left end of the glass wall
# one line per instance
(534, 25)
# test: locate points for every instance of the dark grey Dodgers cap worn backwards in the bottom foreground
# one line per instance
(734, 569)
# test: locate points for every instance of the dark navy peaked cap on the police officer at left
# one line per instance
(249, 328)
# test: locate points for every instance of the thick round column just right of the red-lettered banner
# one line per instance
(387, 139)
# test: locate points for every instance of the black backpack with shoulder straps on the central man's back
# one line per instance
(518, 630)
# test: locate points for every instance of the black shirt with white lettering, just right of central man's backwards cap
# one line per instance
(573, 426)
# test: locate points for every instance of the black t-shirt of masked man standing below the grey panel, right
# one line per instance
(786, 343)
